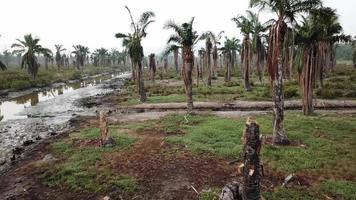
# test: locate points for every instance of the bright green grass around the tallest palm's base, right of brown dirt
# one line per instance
(329, 154)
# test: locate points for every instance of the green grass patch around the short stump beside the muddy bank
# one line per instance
(80, 169)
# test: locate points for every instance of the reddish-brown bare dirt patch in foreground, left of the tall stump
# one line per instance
(168, 172)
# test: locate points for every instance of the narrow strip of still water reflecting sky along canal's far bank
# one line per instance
(11, 109)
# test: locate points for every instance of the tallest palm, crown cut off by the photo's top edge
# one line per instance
(277, 51)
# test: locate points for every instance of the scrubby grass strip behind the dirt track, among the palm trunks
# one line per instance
(340, 84)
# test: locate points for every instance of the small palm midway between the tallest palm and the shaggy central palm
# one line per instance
(230, 46)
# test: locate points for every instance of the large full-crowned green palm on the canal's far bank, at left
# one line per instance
(29, 47)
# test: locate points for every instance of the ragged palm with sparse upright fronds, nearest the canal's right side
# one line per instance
(133, 43)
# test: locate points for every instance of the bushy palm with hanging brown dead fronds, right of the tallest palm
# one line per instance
(314, 39)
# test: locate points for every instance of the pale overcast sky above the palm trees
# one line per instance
(93, 23)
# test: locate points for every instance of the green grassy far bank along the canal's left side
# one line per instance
(16, 79)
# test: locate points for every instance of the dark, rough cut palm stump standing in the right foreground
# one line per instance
(249, 187)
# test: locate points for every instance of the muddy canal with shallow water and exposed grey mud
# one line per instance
(36, 116)
